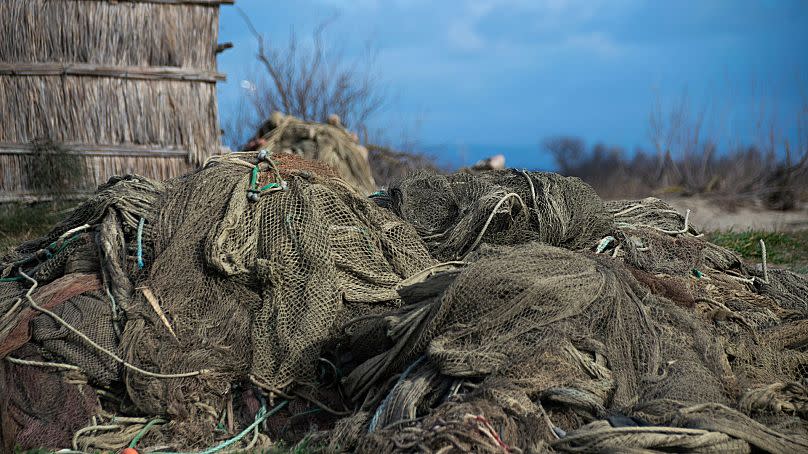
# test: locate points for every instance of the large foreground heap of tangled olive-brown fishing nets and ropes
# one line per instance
(262, 301)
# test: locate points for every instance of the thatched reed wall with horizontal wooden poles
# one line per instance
(128, 85)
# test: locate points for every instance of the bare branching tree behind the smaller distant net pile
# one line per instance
(314, 81)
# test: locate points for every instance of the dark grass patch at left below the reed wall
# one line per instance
(23, 221)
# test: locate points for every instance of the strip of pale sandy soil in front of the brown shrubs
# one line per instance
(707, 215)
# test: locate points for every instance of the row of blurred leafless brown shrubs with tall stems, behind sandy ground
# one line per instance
(685, 161)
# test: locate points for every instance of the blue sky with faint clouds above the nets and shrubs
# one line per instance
(471, 78)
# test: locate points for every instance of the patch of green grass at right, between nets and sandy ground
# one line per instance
(784, 249)
